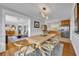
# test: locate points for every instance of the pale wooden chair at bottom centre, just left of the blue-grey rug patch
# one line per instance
(45, 49)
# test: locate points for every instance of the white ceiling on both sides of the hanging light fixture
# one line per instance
(57, 10)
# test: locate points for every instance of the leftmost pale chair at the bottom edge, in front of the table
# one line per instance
(25, 51)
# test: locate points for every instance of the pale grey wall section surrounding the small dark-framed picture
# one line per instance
(35, 31)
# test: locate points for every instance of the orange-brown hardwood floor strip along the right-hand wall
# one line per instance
(68, 48)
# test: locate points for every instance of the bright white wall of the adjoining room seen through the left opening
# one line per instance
(13, 20)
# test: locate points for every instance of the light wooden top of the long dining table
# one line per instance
(38, 39)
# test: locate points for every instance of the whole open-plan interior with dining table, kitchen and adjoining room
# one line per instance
(39, 29)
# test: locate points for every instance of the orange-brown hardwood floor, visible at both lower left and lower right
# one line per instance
(67, 50)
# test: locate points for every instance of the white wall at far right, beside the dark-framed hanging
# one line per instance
(74, 36)
